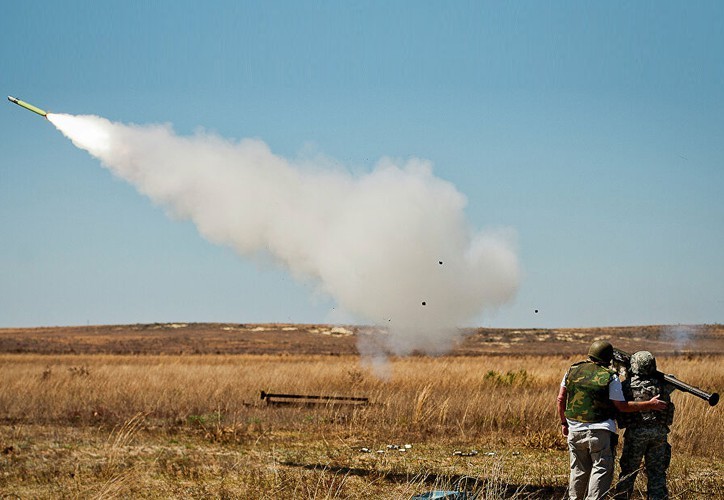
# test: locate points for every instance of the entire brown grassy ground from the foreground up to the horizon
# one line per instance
(173, 411)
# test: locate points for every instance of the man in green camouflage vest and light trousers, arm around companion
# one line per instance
(588, 399)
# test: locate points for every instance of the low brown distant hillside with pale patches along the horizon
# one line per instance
(279, 339)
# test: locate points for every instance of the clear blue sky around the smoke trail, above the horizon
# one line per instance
(593, 129)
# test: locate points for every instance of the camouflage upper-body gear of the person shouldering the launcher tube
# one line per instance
(638, 388)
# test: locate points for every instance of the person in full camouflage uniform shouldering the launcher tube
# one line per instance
(646, 432)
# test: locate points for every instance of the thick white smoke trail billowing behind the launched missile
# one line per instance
(392, 246)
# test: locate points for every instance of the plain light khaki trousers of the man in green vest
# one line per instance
(592, 455)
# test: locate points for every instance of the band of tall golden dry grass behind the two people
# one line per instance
(453, 399)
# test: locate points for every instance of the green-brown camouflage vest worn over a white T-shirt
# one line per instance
(587, 393)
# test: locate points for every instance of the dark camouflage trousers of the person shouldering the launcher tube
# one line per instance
(651, 445)
